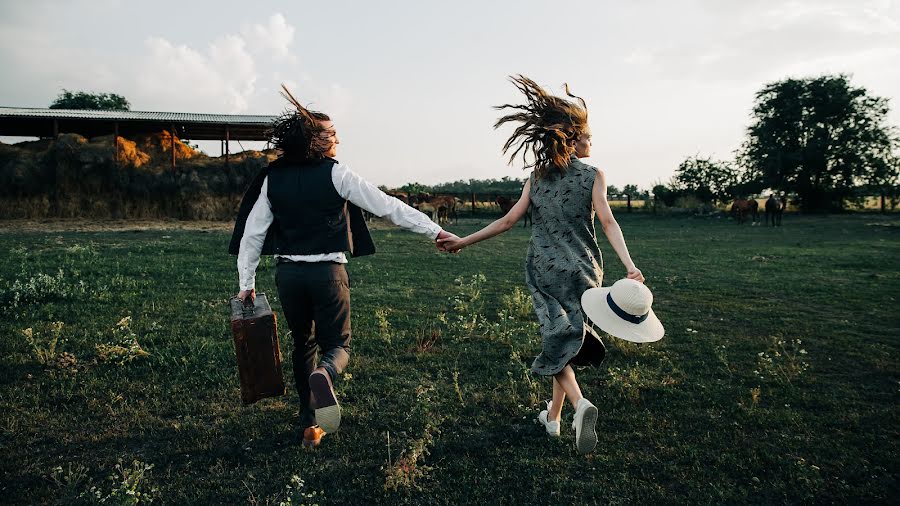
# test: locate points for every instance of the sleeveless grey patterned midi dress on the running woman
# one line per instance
(563, 261)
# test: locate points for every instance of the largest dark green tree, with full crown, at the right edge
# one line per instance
(819, 137)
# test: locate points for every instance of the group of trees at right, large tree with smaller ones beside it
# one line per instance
(821, 140)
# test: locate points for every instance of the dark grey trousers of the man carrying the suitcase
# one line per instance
(315, 297)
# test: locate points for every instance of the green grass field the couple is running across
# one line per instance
(778, 380)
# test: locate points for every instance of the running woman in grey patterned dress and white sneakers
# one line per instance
(563, 259)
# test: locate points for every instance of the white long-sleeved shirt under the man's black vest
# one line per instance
(350, 186)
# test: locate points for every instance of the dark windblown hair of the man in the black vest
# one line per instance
(294, 132)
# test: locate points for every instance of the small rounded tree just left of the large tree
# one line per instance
(707, 179)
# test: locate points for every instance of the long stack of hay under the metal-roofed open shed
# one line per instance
(72, 177)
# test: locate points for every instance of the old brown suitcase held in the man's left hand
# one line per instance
(255, 333)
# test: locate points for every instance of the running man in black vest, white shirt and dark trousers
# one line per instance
(305, 209)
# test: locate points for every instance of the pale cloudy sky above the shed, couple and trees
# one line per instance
(411, 84)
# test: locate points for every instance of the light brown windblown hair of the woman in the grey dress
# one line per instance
(548, 125)
